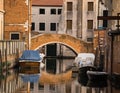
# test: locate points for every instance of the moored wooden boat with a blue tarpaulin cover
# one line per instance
(30, 58)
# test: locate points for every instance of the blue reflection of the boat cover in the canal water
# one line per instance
(30, 78)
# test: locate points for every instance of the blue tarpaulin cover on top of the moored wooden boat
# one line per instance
(30, 55)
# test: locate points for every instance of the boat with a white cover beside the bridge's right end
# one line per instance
(85, 62)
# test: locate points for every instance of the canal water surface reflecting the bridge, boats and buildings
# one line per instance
(55, 77)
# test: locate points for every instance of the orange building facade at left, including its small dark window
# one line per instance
(17, 20)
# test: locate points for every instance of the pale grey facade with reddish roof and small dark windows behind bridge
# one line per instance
(46, 15)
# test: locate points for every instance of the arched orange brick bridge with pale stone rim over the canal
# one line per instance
(73, 43)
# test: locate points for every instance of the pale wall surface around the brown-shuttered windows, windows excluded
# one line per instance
(80, 15)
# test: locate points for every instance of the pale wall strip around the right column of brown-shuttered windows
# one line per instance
(89, 15)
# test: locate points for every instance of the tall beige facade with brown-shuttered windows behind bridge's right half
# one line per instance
(79, 18)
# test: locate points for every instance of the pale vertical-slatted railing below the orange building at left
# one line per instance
(11, 46)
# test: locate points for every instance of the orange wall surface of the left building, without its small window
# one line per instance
(16, 15)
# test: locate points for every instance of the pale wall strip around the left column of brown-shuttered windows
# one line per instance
(65, 16)
